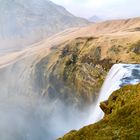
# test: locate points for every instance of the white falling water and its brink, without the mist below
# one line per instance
(119, 75)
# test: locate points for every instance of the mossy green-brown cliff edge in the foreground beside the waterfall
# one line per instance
(121, 120)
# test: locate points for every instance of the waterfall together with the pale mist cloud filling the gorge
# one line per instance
(36, 118)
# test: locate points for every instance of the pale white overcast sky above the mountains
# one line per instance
(102, 8)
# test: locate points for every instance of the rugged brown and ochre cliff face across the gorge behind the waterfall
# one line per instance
(76, 69)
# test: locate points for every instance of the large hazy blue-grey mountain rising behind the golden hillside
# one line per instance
(32, 20)
